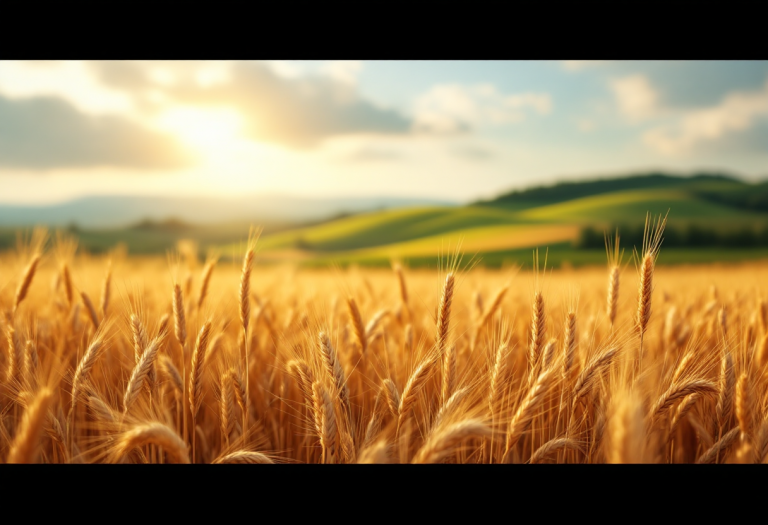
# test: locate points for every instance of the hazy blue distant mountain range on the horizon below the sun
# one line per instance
(111, 211)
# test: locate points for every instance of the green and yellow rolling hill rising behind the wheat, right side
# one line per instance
(540, 217)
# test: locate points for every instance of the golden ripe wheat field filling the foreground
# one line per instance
(132, 360)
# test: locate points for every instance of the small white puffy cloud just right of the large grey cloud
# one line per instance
(450, 108)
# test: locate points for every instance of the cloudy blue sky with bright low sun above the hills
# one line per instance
(448, 130)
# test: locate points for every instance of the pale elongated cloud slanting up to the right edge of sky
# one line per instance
(736, 112)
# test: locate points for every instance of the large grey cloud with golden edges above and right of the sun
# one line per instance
(296, 111)
